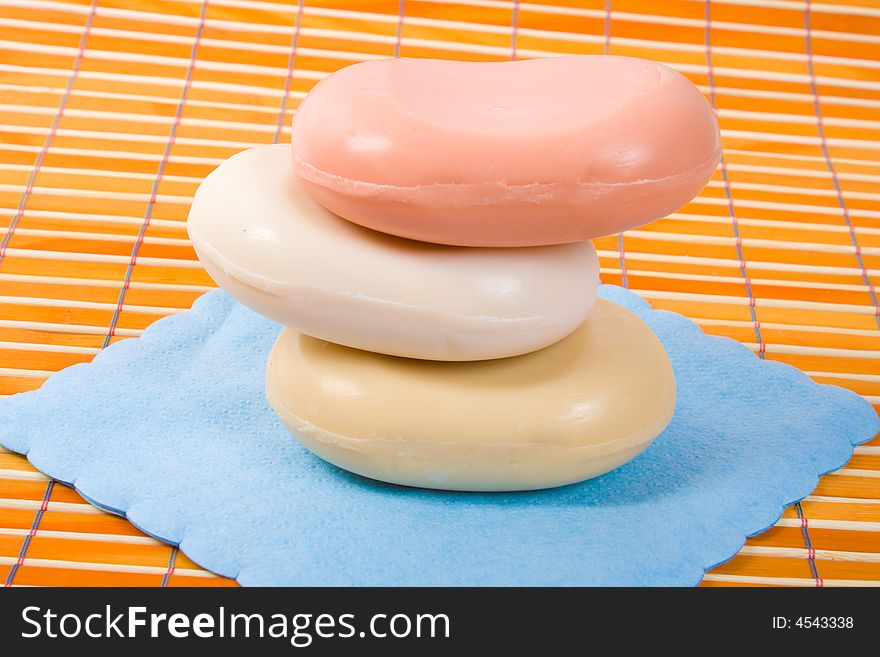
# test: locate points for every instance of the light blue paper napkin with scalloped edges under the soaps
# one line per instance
(173, 431)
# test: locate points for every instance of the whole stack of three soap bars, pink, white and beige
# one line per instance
(425, 242)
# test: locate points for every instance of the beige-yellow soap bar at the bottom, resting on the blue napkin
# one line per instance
(566, 413)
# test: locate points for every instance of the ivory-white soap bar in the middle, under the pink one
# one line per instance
(266, 242)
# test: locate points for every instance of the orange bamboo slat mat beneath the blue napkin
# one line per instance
(111, 113)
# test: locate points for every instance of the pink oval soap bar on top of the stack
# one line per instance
(520, 153)
